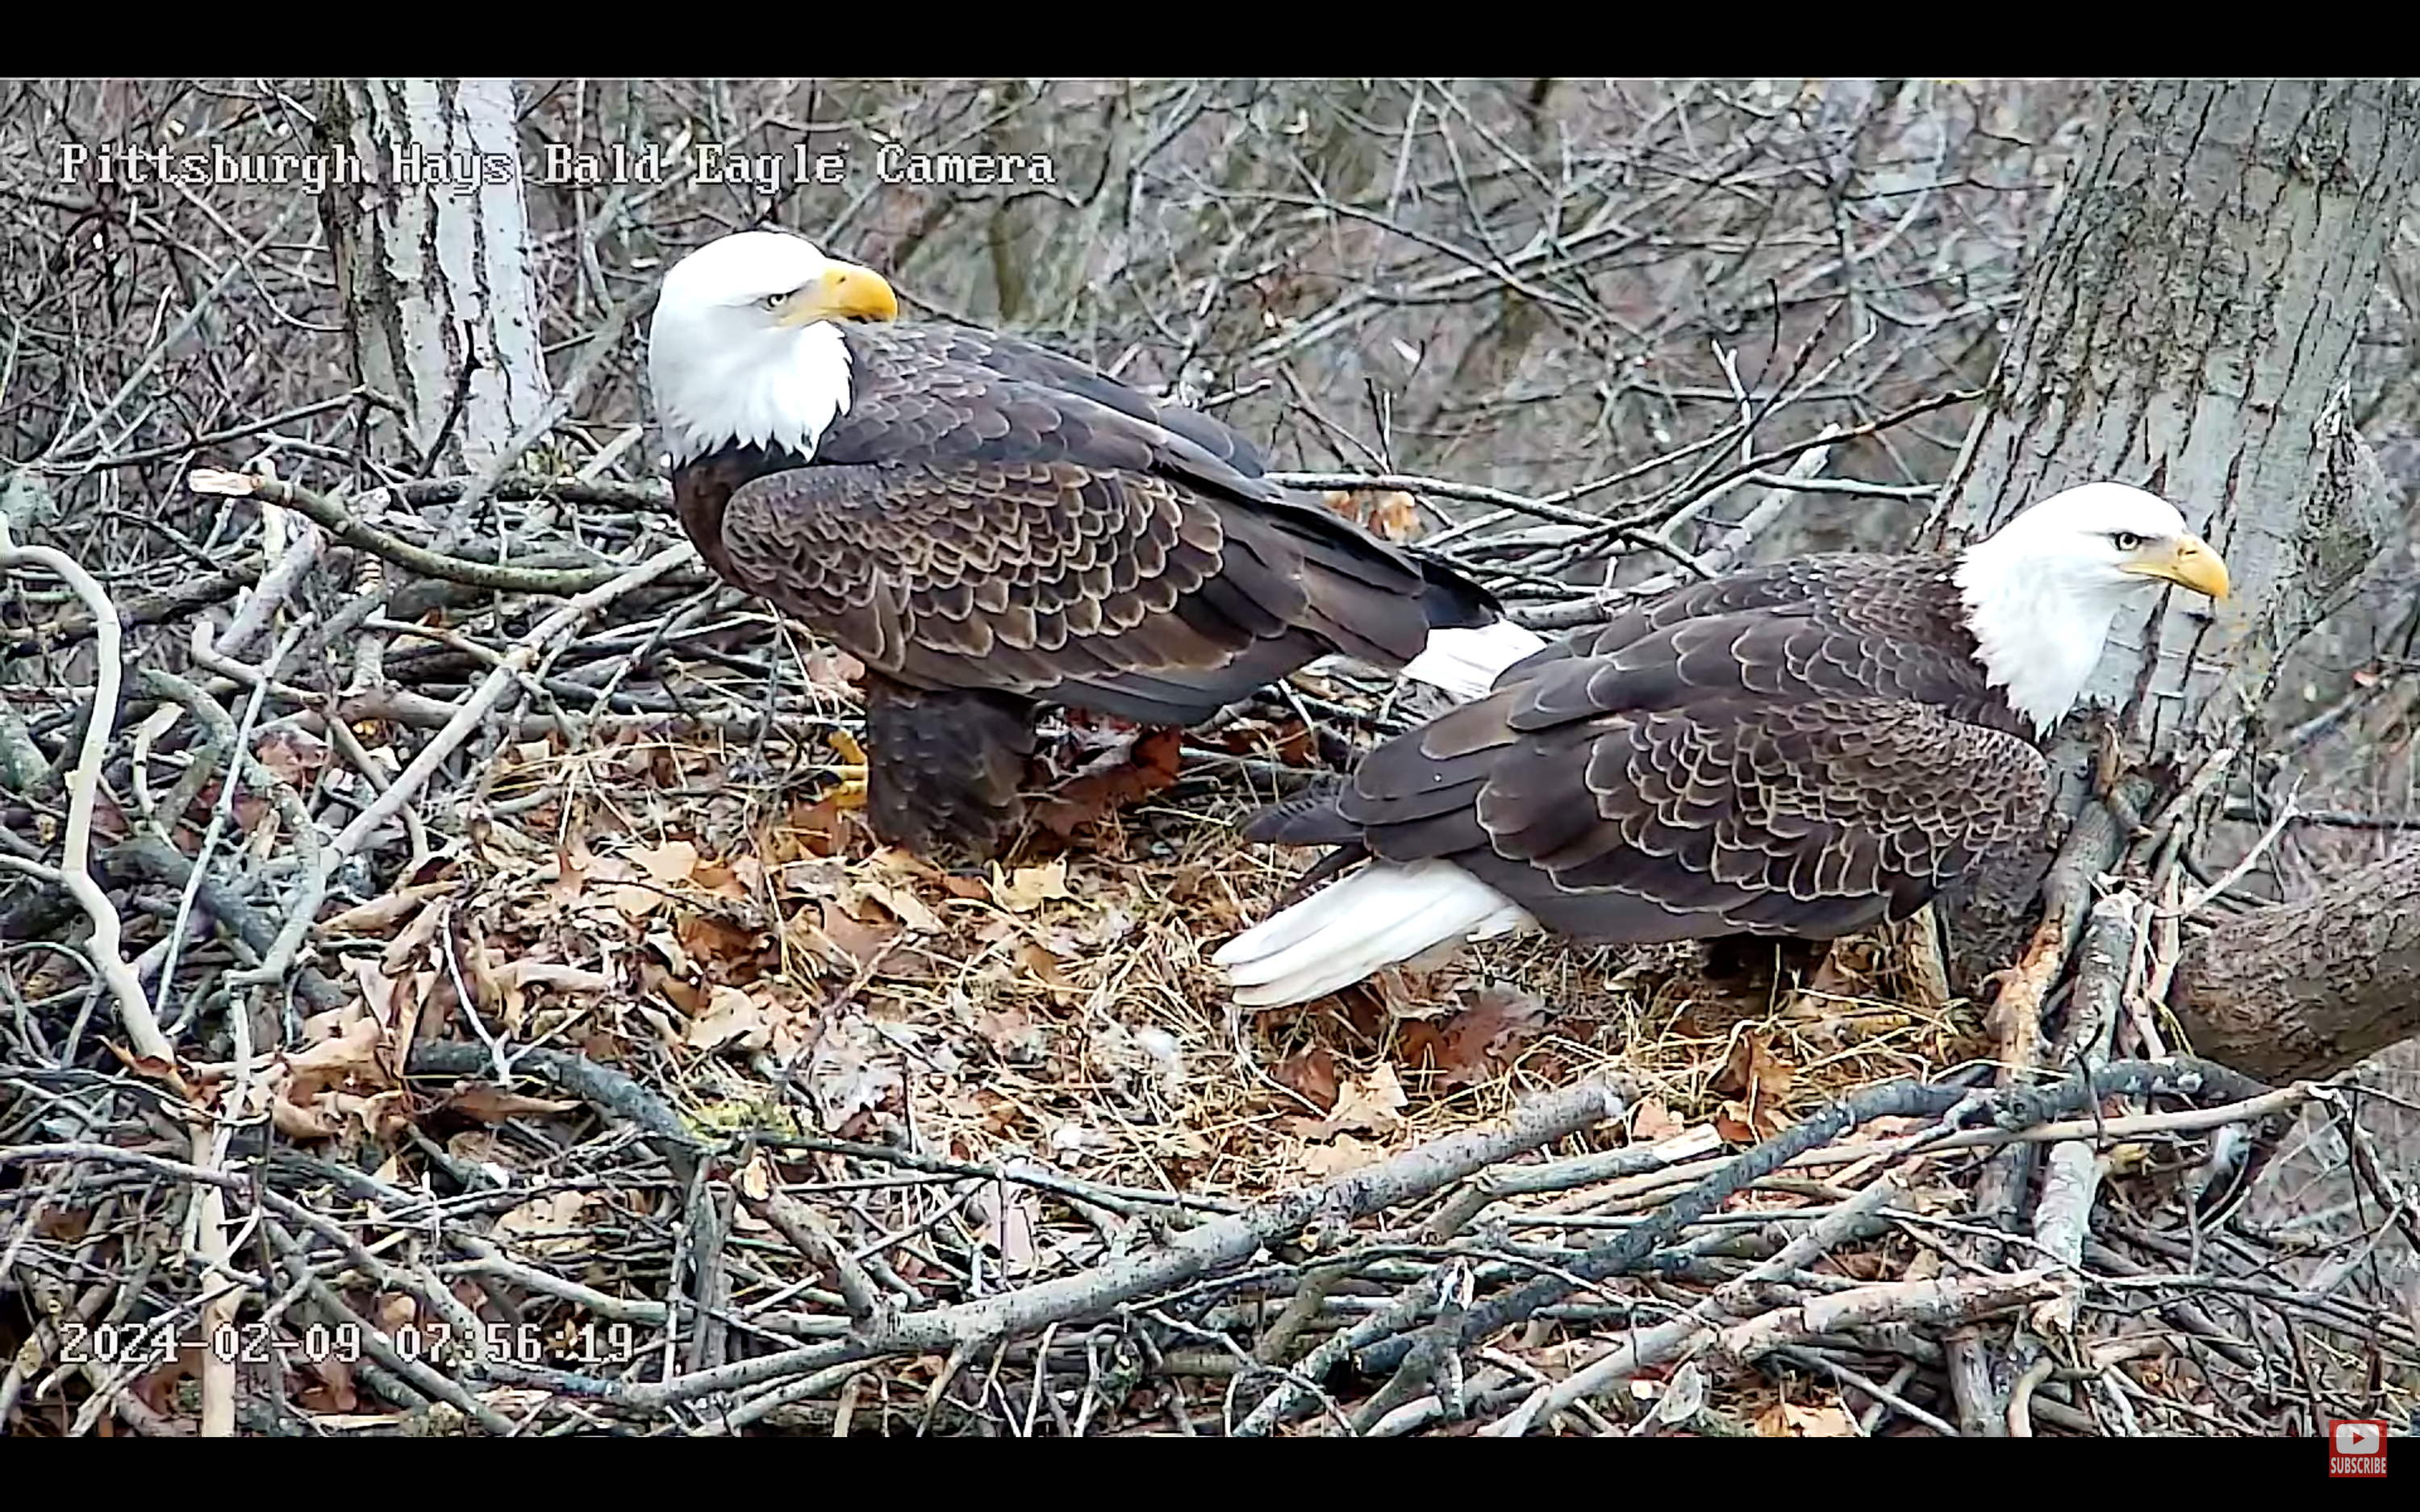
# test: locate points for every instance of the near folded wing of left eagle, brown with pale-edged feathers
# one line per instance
(1049, 579)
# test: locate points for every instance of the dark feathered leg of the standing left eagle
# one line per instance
(945, 768)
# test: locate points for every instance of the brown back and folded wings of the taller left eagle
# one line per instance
(993, 516)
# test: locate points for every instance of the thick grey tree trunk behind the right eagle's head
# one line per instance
(2189, 328)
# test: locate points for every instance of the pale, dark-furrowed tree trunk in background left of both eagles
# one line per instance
(434, 265)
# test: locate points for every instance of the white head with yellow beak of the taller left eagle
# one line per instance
(742, 350)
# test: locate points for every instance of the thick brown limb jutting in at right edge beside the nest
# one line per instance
(2310, 988)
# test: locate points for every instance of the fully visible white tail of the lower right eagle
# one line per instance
(1349, 930)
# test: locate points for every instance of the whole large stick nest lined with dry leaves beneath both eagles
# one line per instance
(652, 1097)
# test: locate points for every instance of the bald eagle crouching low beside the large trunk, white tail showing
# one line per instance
(1794, 751)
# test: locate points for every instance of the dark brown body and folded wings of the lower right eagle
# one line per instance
(1741, 763)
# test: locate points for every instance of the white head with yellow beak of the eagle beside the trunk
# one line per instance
(2046, 587)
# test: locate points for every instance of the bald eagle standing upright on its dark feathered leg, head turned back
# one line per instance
(989, 526)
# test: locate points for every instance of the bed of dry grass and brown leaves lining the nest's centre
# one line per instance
(764, 962)
